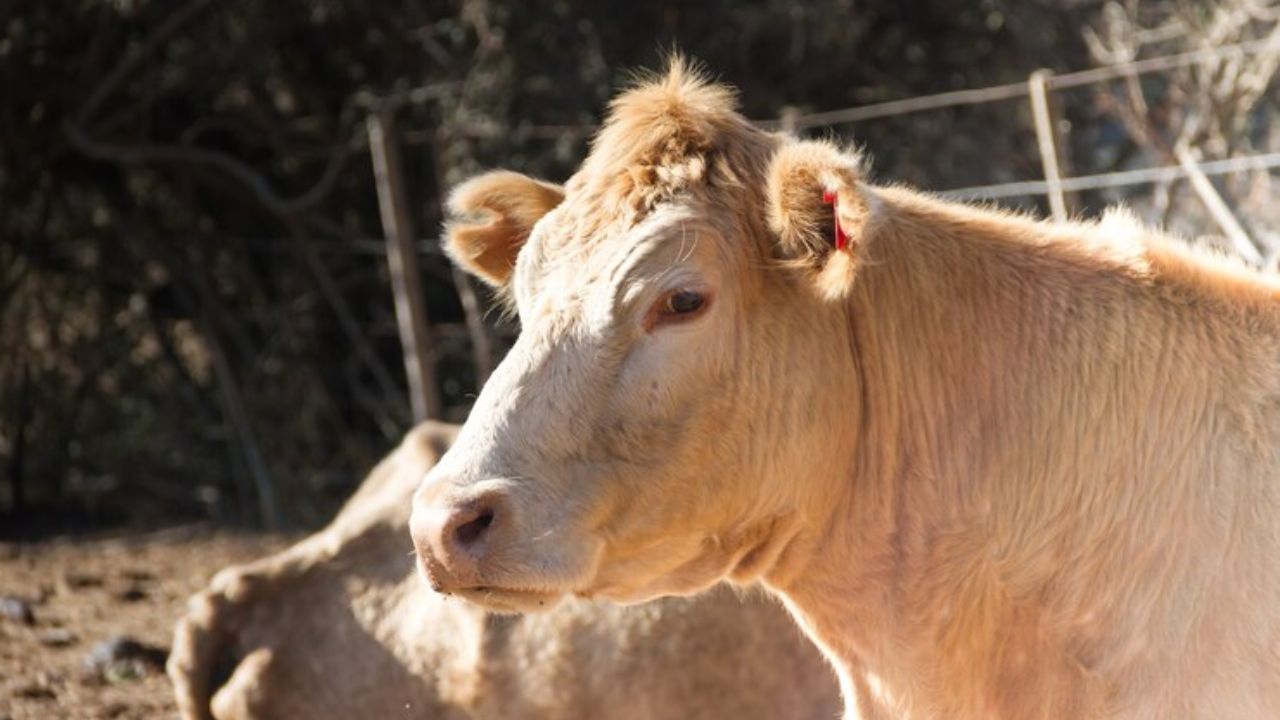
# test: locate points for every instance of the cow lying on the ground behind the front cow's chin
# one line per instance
(339, 627)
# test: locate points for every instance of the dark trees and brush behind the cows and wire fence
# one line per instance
(193, 295)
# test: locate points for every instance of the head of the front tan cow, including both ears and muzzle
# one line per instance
(684, 353)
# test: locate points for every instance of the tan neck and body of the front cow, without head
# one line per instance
(1066, 477)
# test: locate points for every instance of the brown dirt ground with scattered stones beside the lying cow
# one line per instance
(84, 594)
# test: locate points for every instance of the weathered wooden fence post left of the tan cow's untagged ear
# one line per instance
(403, 261)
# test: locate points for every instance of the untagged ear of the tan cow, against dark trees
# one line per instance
(493, 216)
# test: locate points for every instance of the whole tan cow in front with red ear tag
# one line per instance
(996, 468)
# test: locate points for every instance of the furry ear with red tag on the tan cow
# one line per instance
(820, 213)
